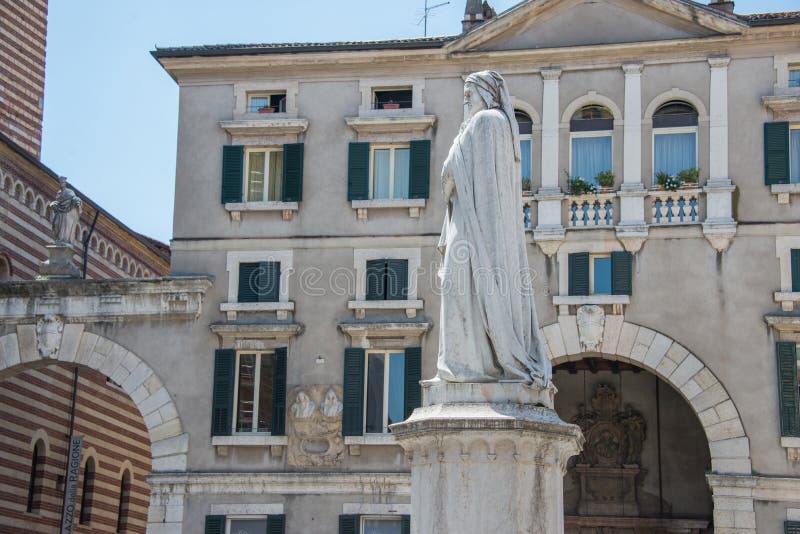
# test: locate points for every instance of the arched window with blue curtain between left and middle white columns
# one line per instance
(591, 129)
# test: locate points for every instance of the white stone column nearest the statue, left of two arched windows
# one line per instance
(549, 232)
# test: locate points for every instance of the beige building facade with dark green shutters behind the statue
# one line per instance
(307, 189)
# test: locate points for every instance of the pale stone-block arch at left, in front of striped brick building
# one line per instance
(169, 444)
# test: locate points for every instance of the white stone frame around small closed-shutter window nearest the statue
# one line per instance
(360, 304)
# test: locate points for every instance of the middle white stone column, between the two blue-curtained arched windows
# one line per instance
(632, 229)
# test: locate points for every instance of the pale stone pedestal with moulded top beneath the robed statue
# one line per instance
(487, 457)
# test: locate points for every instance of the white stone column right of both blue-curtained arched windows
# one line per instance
(719, 226)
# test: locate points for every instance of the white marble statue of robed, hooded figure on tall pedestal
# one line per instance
(489, 330)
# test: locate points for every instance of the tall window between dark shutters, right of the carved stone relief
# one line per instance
(384, 390)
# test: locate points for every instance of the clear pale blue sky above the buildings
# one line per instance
(110, 117)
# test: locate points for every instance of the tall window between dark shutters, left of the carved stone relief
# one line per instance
(253, 394)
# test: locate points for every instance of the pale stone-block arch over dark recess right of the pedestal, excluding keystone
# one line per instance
(674, 364)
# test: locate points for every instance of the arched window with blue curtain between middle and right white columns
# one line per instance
(674, 138)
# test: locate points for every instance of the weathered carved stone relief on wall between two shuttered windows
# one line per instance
(314, 426)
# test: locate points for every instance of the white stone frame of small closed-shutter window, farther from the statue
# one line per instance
(282, 308)
